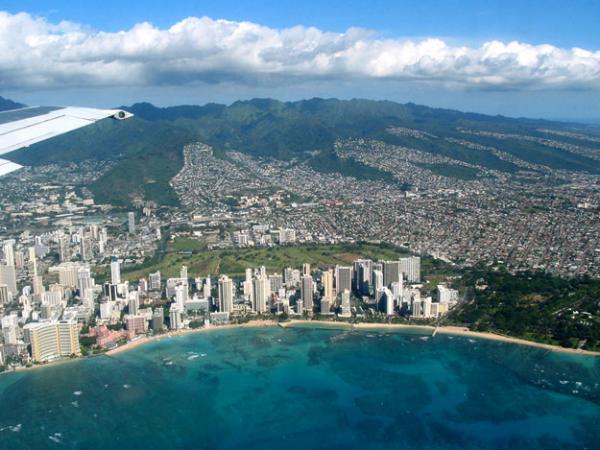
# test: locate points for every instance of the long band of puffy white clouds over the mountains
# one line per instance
(38, 54)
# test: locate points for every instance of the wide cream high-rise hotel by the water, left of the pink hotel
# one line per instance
(53, 339)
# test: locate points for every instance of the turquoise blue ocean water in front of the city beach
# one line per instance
(302, 388)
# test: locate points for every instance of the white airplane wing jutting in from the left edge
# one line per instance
(26, 126)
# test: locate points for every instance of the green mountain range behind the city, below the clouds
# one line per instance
(149, 146)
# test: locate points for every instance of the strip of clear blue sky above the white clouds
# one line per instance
(565, 23)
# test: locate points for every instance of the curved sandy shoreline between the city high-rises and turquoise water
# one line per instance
(446, 330)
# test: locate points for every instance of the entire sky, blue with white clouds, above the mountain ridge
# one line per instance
(558, 84)
